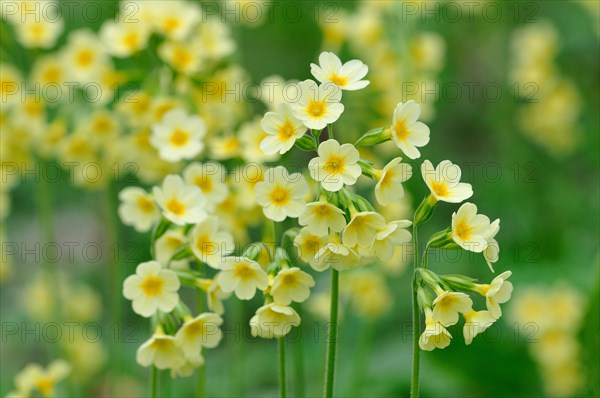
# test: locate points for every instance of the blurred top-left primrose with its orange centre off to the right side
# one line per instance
(124, 39)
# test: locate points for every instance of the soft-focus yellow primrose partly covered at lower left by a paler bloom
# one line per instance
(210, 178)
